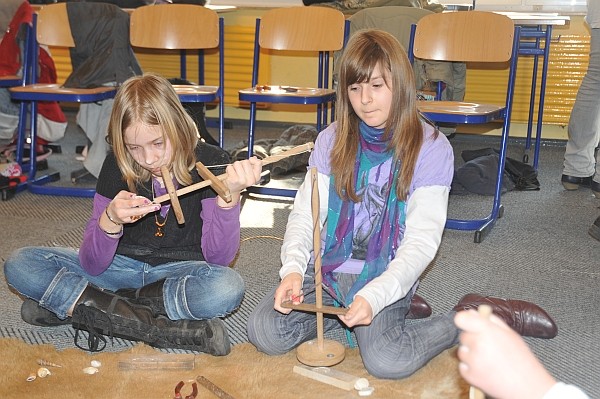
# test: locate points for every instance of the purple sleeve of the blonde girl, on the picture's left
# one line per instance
(97, 249)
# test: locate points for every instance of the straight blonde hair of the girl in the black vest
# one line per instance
(151, 100)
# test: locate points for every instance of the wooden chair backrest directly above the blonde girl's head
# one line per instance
(174, 27)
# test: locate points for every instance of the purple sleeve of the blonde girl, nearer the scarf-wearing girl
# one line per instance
(220, 232)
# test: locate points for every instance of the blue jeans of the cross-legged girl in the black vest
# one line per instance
(192, 289)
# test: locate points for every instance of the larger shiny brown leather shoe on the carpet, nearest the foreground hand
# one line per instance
(526, 318)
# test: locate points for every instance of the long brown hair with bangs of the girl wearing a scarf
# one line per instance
(365, 50)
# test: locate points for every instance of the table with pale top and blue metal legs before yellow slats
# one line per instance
(535, 39)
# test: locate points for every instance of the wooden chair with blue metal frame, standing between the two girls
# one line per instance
(311, 31)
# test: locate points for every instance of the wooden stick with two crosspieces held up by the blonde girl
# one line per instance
(215, 181)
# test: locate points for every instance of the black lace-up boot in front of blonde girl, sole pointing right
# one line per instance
(104, 313)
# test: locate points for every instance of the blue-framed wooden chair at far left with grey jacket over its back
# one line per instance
(50, 28)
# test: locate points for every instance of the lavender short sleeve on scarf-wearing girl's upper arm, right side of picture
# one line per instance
(435, 164)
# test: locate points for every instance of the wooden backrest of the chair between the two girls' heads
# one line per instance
(302, 29)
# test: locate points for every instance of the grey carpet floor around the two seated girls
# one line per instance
(538, 251)
